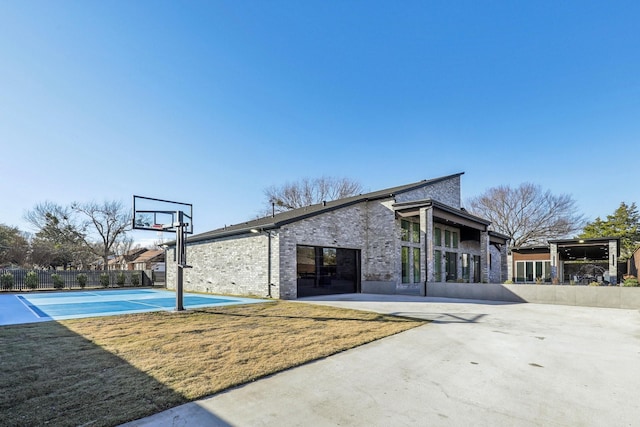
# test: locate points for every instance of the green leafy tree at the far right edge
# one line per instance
(624, 224)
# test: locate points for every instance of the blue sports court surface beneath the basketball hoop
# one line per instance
(46, 306)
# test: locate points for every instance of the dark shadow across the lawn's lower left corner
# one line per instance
(51, 375)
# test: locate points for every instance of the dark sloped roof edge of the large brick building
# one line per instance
(283, 218)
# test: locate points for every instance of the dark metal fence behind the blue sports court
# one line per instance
(70, 279)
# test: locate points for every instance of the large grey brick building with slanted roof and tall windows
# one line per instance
(396, 240)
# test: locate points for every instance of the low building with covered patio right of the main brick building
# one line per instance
(568, 261)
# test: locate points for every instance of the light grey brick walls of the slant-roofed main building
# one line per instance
(238, 264)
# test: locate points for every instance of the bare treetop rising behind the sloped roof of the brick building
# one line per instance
(307, 192)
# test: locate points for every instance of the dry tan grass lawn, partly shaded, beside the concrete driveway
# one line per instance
(108, 370)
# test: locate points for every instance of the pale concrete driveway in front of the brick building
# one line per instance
(478, 363)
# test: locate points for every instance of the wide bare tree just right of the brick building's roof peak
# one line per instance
(527, 214)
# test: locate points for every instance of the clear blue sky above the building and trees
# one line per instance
(210, 102)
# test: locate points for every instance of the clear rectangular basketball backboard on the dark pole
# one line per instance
(161, 215)
